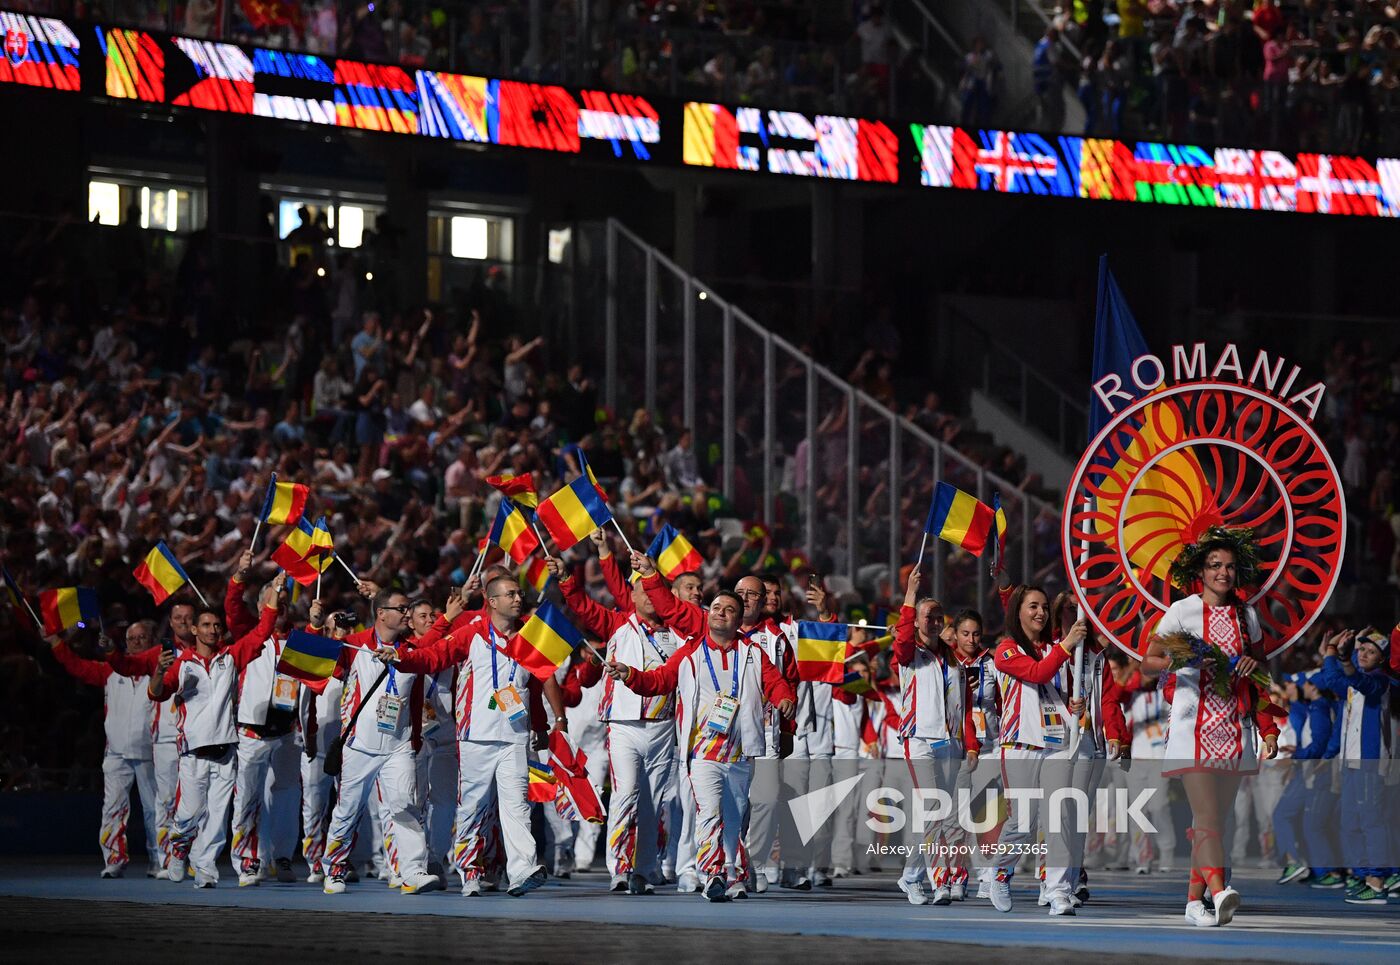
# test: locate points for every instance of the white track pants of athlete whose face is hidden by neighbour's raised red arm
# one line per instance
(265, 800)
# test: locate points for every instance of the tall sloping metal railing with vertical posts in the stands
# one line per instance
(785, 438)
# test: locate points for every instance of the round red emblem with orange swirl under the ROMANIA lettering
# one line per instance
(1186, 459)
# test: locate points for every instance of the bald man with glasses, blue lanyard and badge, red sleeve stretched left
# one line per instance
(498, 707)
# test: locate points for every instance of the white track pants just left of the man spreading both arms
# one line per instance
(639, 757)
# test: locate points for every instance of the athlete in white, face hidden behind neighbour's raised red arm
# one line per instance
(265, 798)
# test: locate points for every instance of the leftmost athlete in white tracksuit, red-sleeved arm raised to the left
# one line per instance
(127, 760)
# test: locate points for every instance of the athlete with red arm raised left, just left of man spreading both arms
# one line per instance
(642, 743)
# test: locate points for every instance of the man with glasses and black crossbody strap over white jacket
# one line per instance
(381, 750)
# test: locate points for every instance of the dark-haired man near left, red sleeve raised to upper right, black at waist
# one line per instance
(205, 680)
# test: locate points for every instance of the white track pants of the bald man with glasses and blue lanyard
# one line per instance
(493, 777)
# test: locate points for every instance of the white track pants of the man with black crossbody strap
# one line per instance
(395, 775)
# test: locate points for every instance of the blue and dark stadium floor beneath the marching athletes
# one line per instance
(862, 919)
